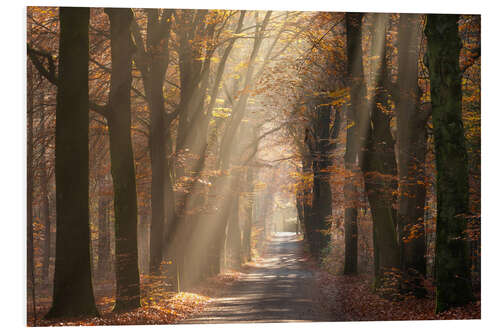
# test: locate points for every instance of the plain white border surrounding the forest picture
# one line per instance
(13, 201)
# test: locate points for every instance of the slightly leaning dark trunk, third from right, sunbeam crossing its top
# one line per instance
(380, 172)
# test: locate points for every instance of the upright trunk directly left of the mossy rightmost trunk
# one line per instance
(411, 136)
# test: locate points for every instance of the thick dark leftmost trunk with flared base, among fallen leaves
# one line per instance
(73, 293)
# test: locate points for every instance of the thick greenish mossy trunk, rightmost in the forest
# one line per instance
(452, 269)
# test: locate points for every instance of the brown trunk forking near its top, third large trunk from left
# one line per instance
(152, 61)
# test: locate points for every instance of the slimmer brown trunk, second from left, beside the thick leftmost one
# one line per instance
(122, 162)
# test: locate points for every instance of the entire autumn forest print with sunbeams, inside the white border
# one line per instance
(194, 166)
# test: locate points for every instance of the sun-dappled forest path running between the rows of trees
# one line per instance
(278, 288)
